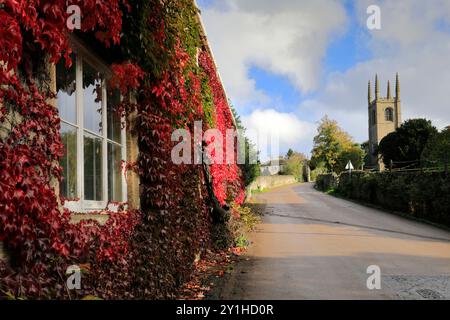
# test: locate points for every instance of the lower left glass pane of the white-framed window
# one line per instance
(69, 161)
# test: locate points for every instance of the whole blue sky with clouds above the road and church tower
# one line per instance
(285, 64)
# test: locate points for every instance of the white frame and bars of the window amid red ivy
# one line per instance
(82, 205)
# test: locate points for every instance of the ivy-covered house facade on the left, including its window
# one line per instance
(152, 54)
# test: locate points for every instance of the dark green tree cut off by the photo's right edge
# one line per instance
(437, 150)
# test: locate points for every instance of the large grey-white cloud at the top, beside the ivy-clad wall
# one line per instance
(285, 37)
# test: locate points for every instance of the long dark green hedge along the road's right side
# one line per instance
(424, 195)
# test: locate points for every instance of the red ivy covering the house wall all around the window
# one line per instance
(135, 254)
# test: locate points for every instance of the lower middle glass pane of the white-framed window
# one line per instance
(93, 168)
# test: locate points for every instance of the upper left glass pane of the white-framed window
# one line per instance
(66, 90)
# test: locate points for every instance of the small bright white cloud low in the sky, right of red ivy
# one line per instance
(280, 130)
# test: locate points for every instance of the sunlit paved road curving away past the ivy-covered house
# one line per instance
(314, 246)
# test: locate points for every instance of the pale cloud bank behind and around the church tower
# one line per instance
(409, 42)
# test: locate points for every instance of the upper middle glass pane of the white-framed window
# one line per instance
(92, 93)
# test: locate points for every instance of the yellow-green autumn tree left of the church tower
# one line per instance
(329, 143)
